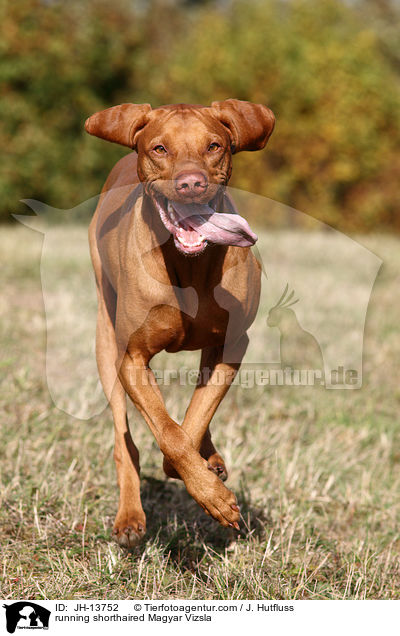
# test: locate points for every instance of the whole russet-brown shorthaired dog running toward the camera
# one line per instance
(153, 296)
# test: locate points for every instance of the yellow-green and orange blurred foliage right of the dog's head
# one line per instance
(334, 153)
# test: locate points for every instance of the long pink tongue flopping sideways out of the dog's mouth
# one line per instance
(216, 227)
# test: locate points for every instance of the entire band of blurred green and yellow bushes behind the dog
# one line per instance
(329, 70)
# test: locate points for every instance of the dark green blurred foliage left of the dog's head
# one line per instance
(59, 62)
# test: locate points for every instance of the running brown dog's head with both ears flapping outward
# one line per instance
(185, 158)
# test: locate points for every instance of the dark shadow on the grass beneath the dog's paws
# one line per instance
(184, 532)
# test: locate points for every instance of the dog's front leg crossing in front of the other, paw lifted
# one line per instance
(174, 442)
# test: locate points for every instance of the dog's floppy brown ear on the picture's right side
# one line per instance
(250, 125)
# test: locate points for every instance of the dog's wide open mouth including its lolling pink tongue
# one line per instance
(194, 225)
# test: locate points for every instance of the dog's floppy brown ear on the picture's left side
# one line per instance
(119, 124)
